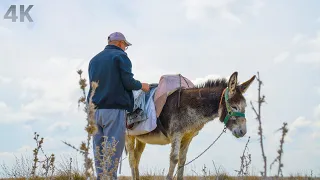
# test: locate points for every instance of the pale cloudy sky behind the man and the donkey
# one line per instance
(201, 39)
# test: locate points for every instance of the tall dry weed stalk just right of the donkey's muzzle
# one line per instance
(258, 114)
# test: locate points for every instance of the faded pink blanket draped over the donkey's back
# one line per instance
(167, 85)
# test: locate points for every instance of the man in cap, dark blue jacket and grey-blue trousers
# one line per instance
(111, 68)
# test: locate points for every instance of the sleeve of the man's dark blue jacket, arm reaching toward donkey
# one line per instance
(126, 75)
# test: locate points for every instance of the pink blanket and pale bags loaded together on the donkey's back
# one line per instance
(148, 106)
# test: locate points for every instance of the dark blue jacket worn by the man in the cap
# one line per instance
(111, 68)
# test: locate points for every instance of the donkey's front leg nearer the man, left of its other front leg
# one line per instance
(175, 148)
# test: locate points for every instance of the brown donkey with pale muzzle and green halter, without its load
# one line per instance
(214, 98)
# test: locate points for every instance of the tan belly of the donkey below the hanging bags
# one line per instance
(155, 137)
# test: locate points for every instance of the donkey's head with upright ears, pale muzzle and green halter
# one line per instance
(233, 104)
